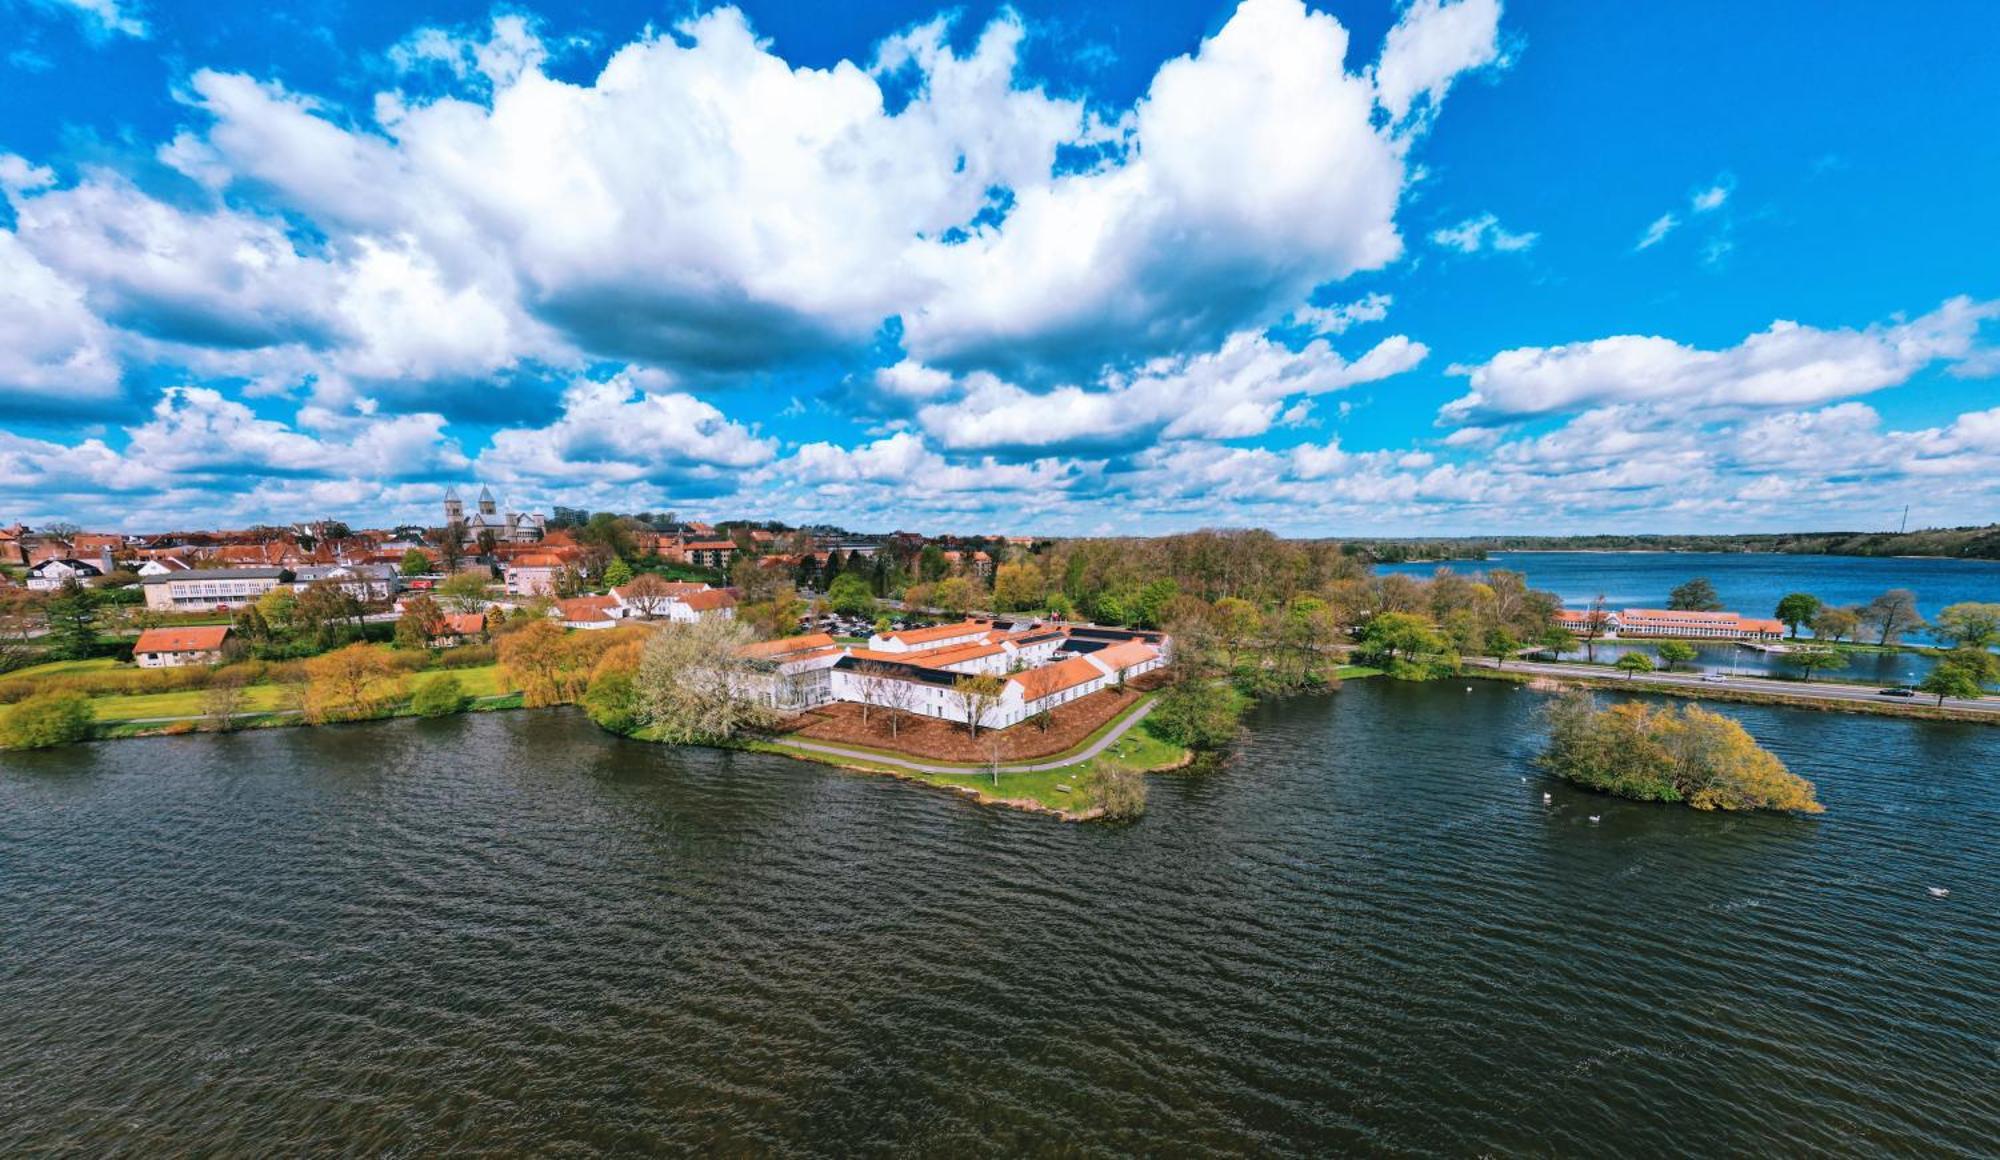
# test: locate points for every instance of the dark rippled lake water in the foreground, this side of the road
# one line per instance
(1365, 933)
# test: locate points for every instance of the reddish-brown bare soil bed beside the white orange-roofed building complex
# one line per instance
(939, 741)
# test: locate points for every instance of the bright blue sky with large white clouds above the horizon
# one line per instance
(1353, 269)
